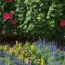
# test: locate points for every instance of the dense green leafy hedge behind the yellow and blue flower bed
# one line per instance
(35, 18)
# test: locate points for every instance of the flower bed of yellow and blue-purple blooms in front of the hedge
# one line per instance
(38, 53)
